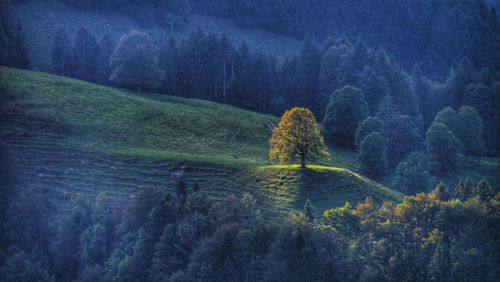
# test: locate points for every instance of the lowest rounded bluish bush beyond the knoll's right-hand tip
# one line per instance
(413, 174)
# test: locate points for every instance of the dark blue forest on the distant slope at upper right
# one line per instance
(415, 31)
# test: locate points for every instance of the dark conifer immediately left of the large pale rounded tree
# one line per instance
(85, 55)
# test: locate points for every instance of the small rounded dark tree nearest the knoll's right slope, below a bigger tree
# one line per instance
(373, 155)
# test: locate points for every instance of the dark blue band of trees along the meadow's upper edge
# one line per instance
(210, 67)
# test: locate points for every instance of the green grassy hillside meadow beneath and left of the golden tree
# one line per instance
(66, 136)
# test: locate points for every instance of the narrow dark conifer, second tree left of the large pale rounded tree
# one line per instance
(61, 53)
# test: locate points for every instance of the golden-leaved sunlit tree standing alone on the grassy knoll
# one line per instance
(297, 136)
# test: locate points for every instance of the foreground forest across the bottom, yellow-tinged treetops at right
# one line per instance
(184, 236)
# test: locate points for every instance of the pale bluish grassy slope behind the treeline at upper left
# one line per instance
(41, 19)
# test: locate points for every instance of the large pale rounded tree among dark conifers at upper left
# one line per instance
(135, 62)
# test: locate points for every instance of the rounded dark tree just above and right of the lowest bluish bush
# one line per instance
(442, 147)
